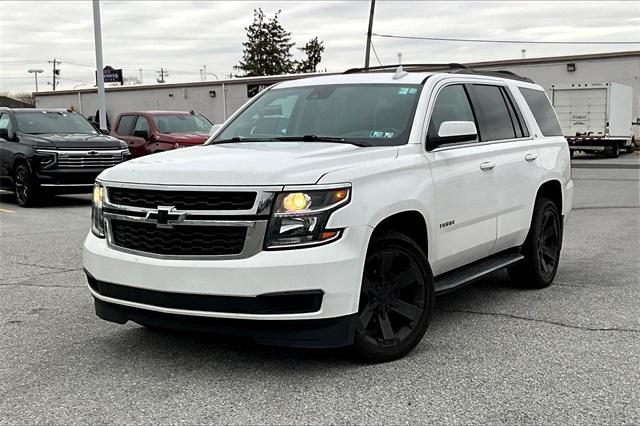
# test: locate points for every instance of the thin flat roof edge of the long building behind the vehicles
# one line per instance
(278, 78)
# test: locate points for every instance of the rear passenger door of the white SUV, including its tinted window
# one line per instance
(515, 155)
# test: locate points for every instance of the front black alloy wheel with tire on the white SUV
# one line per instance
(396, 299)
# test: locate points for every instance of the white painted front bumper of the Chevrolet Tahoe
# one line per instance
(334, 269)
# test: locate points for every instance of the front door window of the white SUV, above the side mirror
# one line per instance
(452, 104)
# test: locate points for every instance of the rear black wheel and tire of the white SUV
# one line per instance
(541, 249)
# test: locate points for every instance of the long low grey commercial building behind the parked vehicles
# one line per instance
(218, 99)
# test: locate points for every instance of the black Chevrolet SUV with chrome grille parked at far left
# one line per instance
(52, 151)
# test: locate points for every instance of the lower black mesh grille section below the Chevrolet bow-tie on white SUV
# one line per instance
(182, 240)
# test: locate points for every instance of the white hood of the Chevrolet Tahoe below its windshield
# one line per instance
(246, 163)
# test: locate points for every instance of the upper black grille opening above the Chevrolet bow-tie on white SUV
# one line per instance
(182, 200)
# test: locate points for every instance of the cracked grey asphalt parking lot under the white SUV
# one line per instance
(493, 353)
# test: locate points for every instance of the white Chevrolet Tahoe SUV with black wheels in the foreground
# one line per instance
(330, 211)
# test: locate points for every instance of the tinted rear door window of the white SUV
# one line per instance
(494, 118)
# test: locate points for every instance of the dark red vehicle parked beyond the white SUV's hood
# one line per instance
(147, 132)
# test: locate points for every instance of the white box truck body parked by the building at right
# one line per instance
(595, 117)
